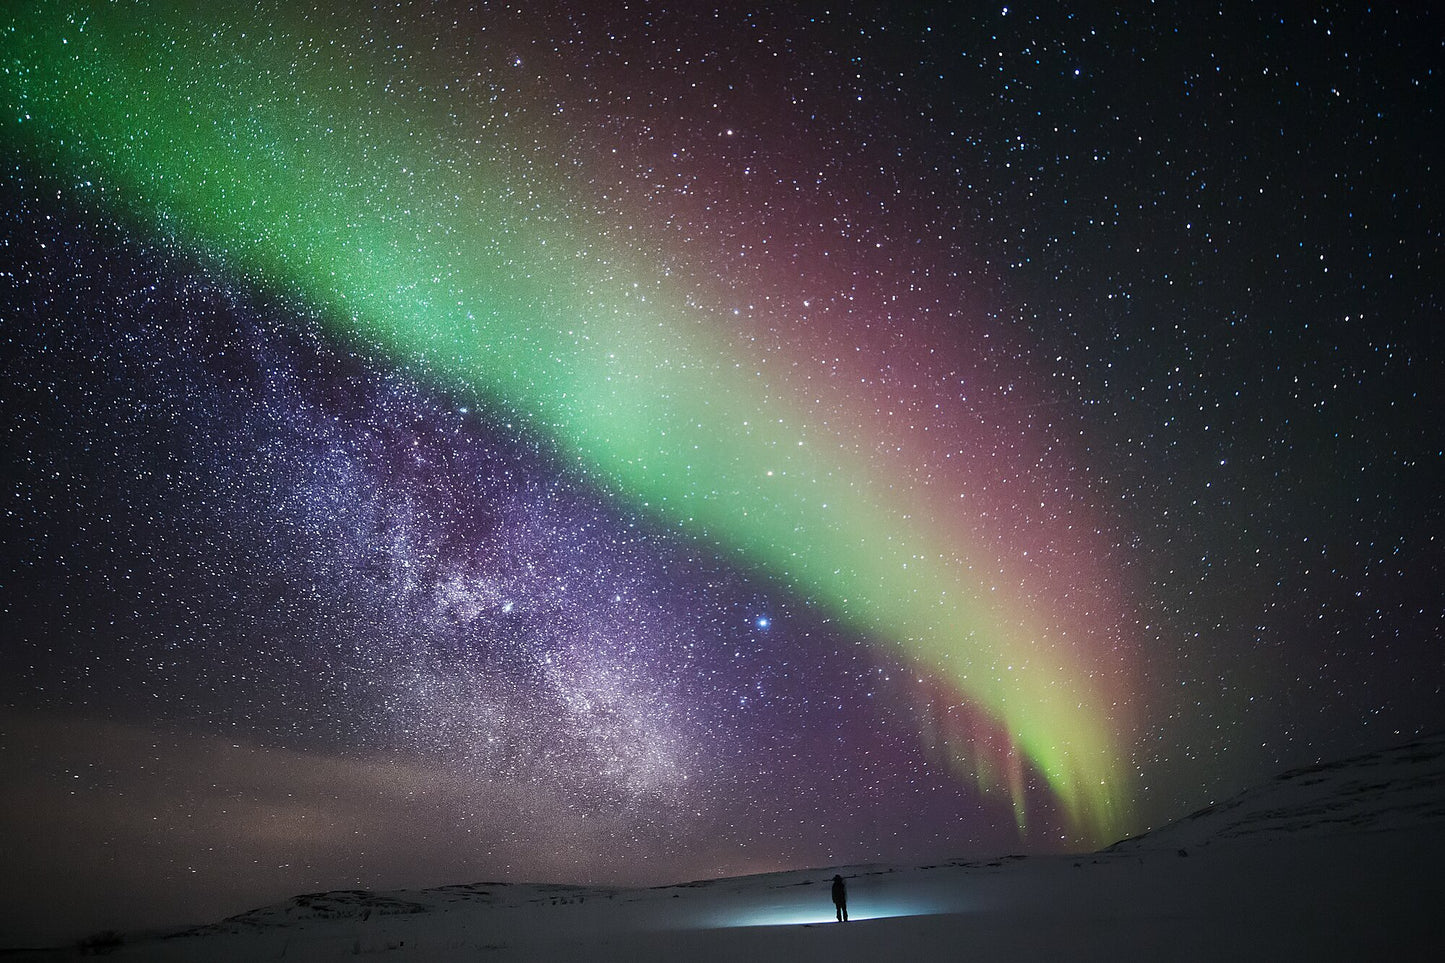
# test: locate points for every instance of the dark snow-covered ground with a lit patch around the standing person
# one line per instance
(1332, 863)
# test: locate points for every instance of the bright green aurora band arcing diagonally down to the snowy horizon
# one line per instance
(282, 157)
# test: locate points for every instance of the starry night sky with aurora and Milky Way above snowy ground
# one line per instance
(635, 443)
